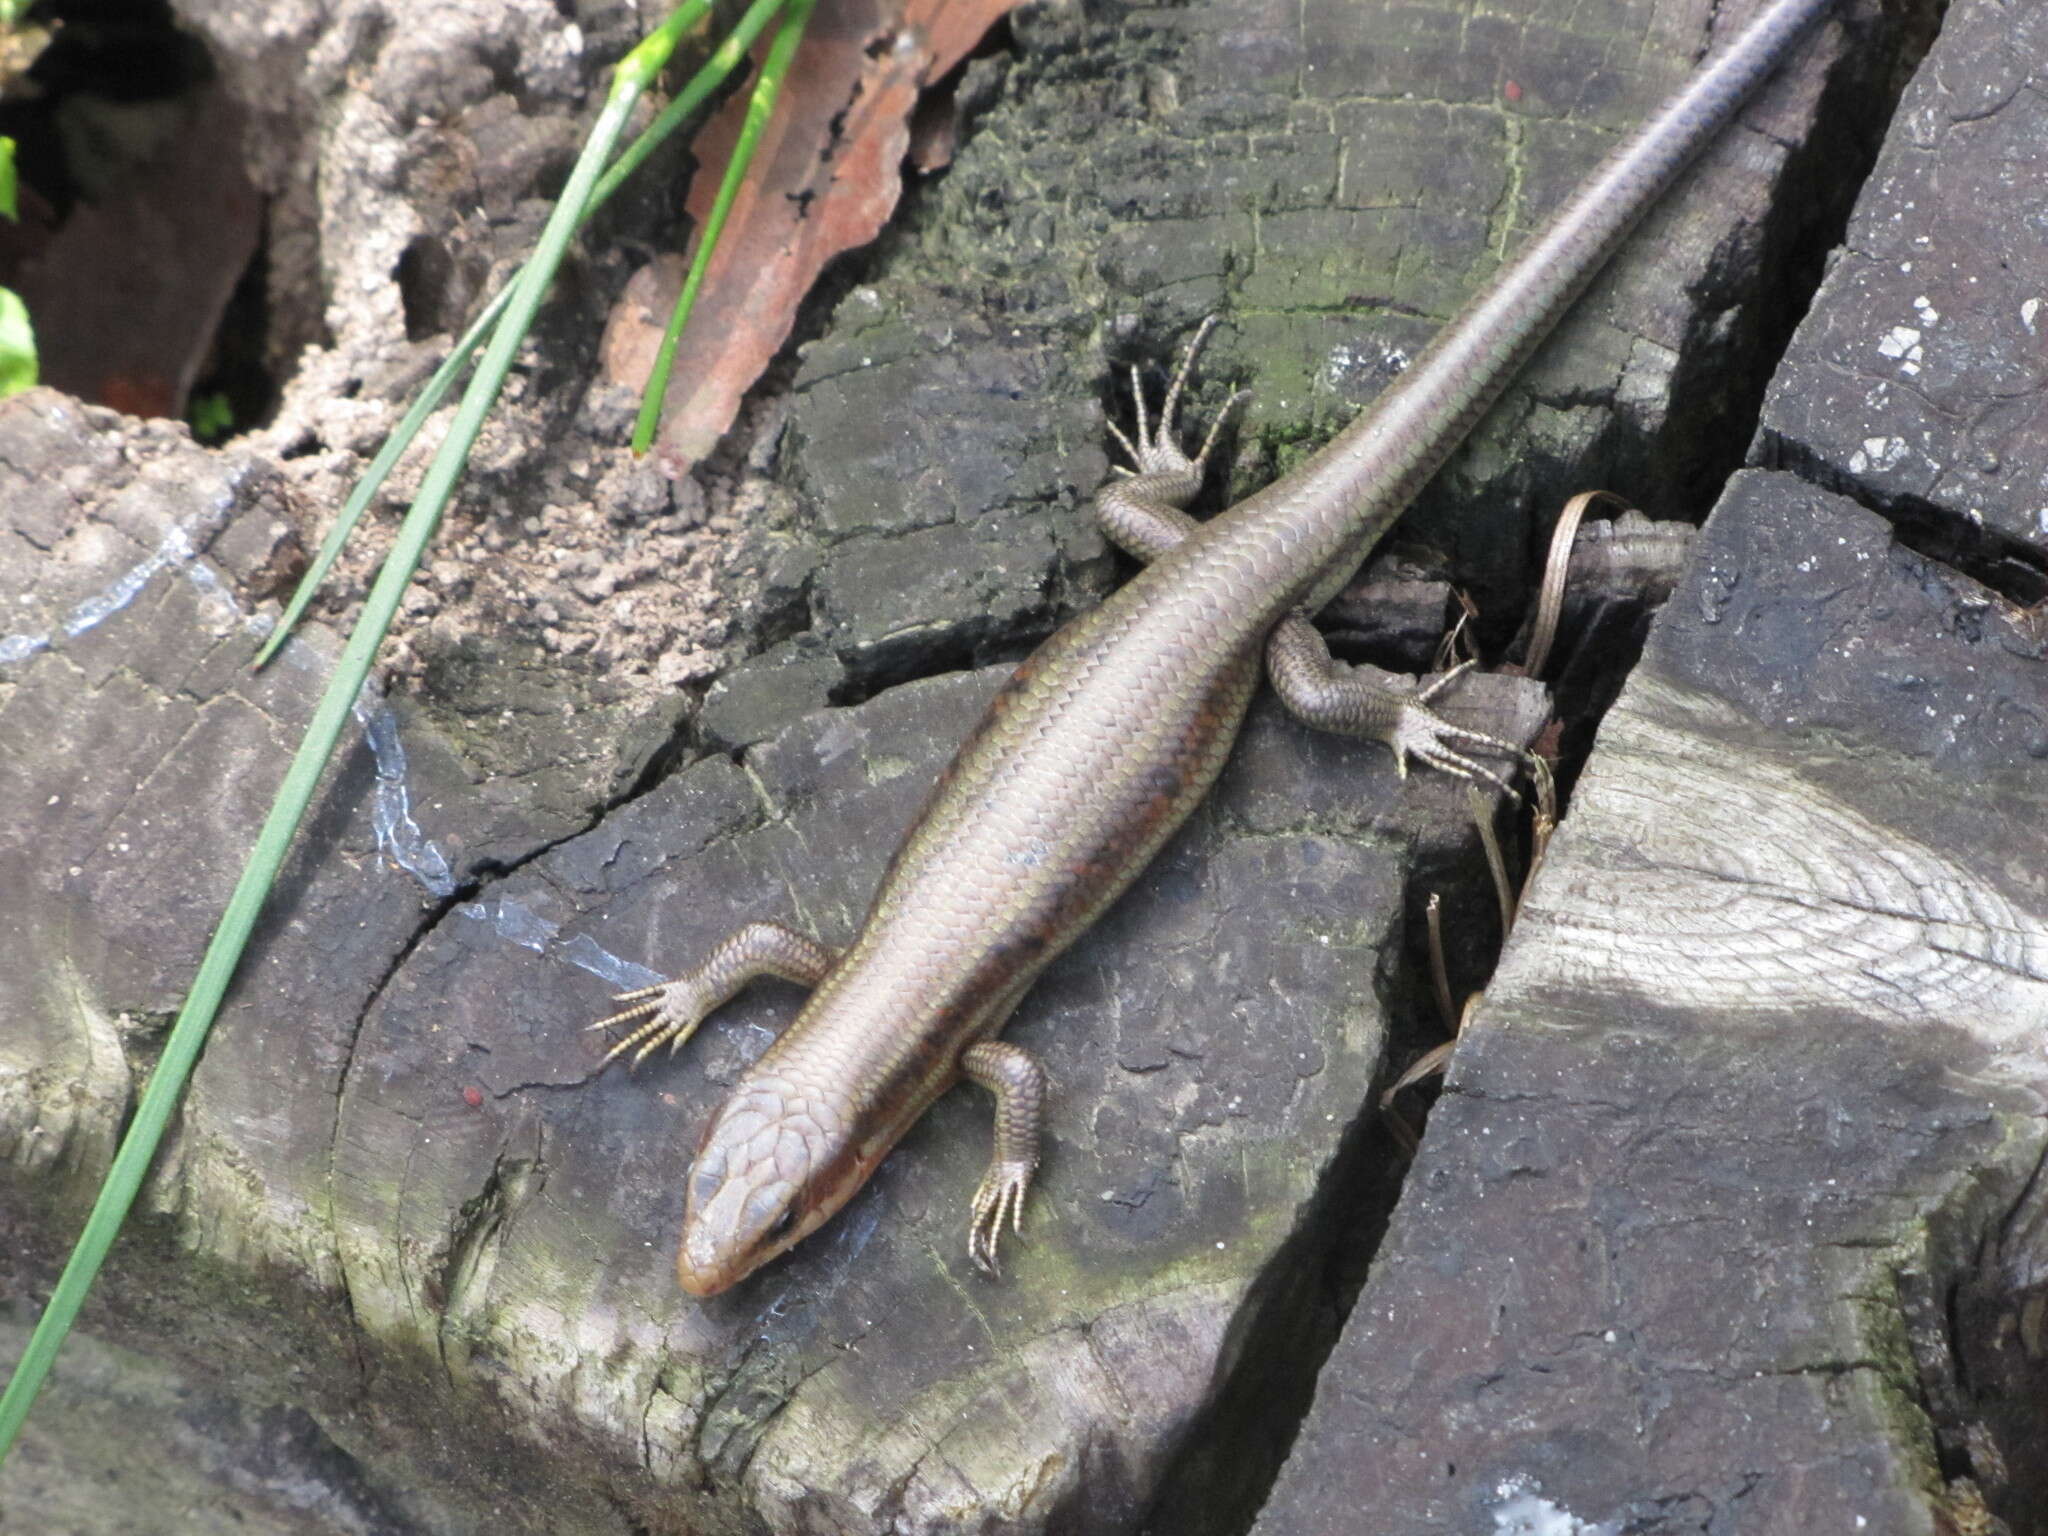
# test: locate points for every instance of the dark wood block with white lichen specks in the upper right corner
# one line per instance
(1922, 382)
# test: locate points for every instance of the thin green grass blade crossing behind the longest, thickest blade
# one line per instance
(708, 79)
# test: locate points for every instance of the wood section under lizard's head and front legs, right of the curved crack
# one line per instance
(1209, 1043)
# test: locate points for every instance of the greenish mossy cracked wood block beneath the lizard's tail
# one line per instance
(1330, 179)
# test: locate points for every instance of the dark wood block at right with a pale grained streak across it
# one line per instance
(1756, 1091)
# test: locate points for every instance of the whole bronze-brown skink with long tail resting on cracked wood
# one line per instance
(1107, 738)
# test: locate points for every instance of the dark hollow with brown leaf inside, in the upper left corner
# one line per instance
(140, 239)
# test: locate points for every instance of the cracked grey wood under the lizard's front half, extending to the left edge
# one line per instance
(394, 1142)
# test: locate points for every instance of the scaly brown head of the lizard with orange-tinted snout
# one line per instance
(769, 1172)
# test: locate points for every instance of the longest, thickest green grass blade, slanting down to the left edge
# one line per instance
(294, 798)
